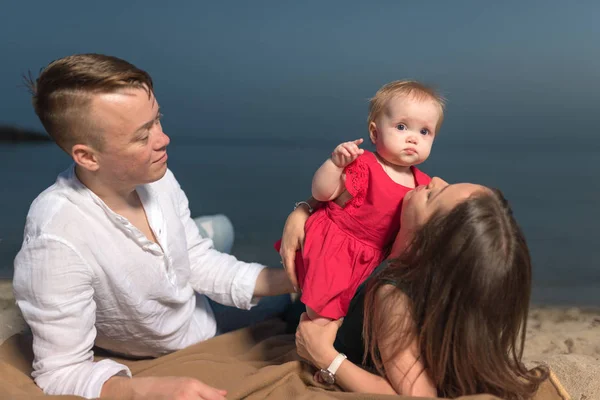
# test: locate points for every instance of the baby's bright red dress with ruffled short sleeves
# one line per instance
(344, 245)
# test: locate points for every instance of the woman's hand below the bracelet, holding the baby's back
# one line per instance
(292, 240)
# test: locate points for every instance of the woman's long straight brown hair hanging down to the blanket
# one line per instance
(467, 275)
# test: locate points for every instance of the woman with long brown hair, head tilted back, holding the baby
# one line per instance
(445, 315)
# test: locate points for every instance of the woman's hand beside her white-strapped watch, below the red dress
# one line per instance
(314, 342)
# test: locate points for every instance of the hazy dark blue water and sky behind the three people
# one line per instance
(255, 96)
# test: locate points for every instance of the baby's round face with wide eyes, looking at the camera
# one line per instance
(404, 133)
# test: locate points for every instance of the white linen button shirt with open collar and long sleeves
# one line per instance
(85, 275)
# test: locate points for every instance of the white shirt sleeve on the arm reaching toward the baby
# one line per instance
(220, 276)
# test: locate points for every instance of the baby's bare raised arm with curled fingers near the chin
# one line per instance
(327, 182)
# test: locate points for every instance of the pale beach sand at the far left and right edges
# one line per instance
(566, 339)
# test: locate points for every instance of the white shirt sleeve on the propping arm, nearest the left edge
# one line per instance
(53, 289)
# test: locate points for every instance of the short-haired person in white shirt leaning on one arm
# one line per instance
(111, 256)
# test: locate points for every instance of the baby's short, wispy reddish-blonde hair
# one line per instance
(405, 88)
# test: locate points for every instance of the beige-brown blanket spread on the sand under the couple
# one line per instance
(254, 363)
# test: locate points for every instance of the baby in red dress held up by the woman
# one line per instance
(350, 235)
